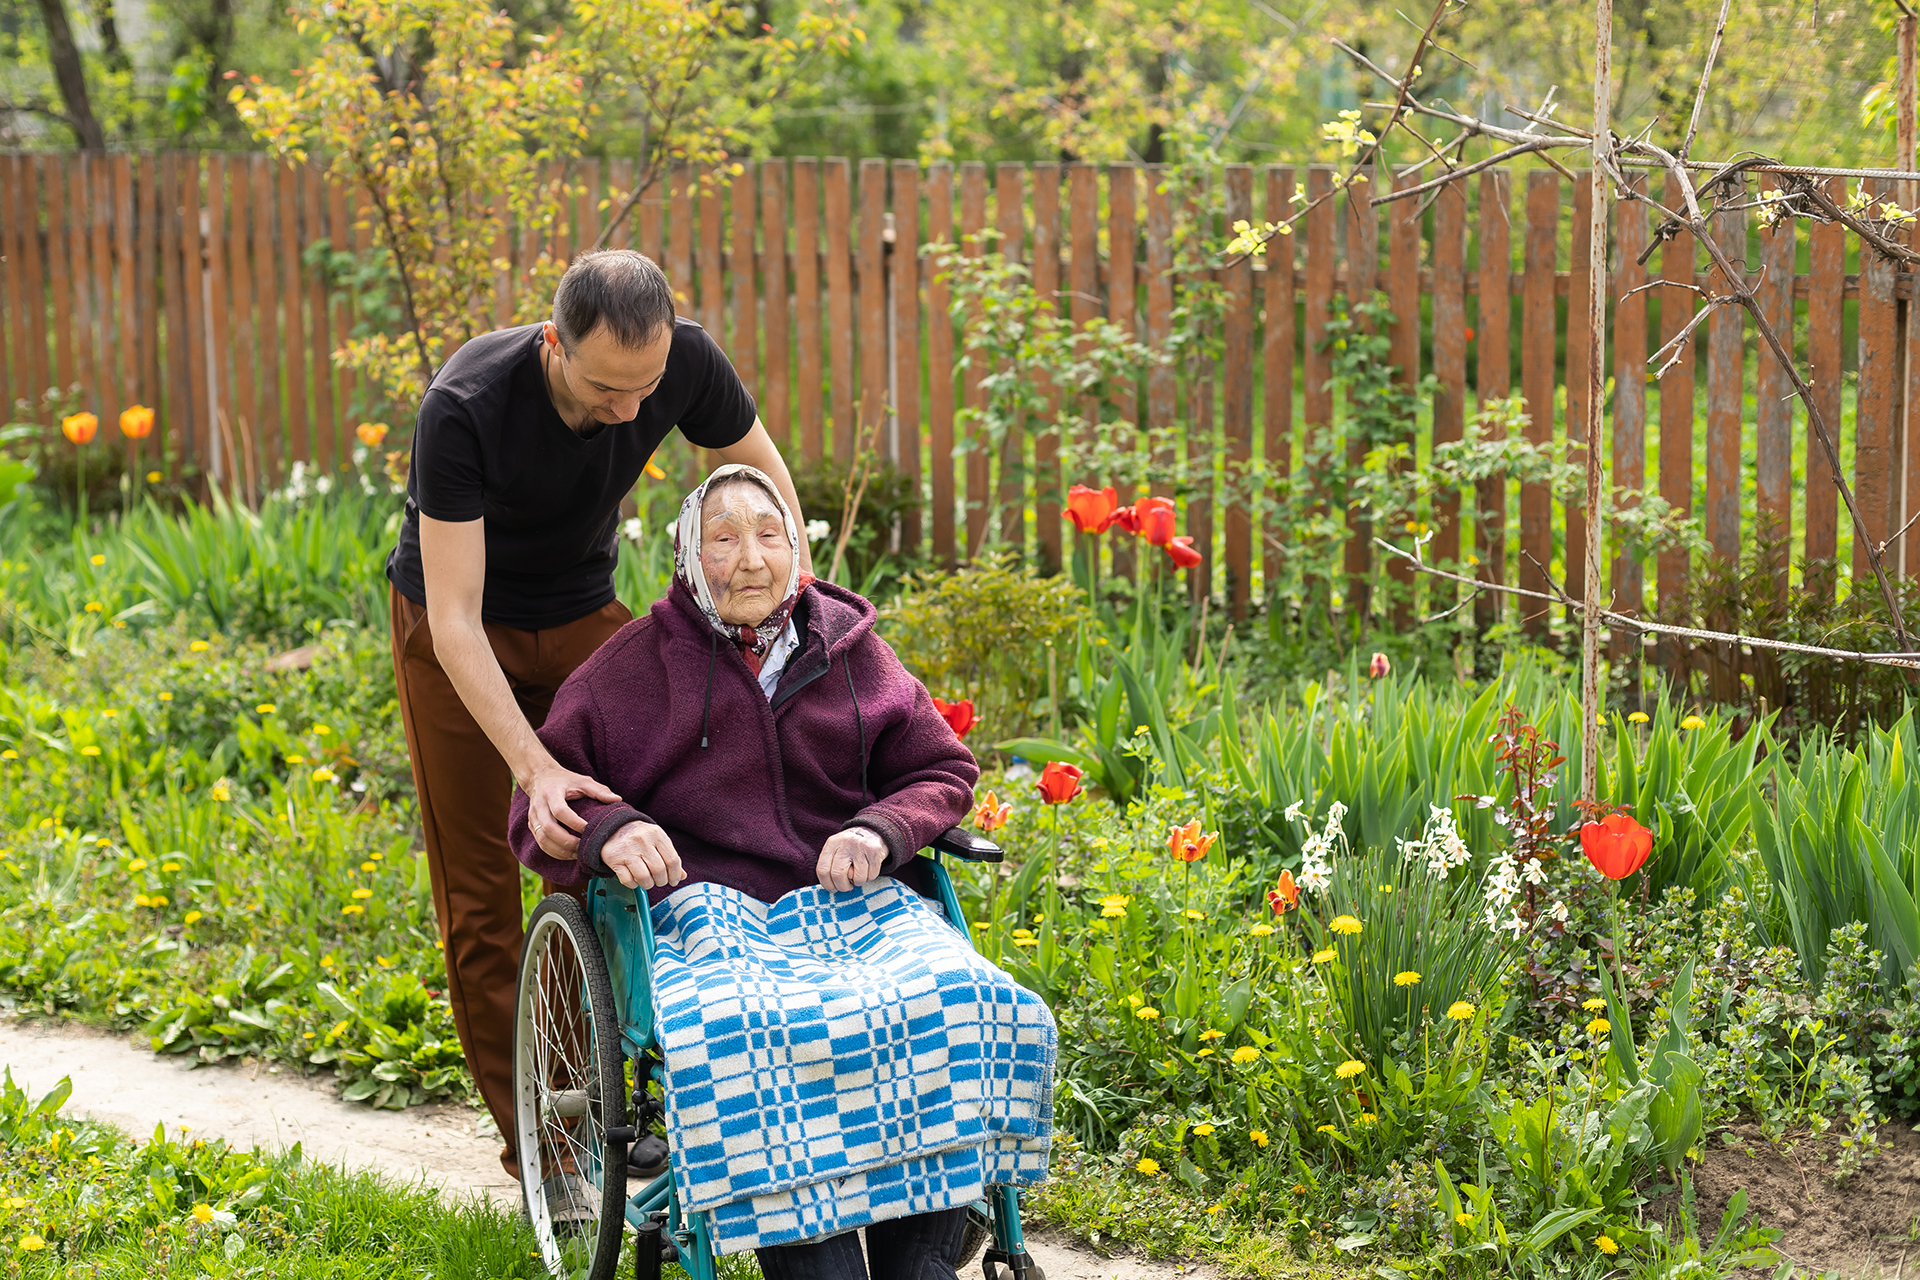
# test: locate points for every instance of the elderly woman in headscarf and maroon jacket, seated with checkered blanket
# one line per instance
(779, 769)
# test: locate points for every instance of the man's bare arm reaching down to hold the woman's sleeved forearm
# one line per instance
(454, 567)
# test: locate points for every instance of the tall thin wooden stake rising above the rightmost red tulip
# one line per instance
(1596, 373)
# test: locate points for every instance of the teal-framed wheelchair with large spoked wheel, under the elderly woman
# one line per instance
(587, 1060)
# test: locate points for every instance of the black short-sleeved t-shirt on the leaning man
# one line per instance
(489, 444)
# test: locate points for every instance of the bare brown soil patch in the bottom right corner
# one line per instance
(1861, 1229)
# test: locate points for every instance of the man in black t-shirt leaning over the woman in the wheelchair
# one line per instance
(502, 584)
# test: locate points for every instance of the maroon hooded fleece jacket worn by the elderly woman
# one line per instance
(669, 717)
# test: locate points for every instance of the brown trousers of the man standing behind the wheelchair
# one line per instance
(466, 792)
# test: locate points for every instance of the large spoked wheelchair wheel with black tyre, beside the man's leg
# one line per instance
(569, 1089)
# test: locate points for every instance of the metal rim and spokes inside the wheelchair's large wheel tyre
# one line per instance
(558, 1081)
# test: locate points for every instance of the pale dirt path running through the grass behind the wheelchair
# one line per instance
(124, 1085)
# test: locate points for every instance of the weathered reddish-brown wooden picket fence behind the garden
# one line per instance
(183, 281)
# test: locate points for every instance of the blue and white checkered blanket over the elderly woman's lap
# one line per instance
(840, 1060)
